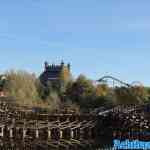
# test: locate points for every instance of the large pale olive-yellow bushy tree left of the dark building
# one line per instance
(22, 86)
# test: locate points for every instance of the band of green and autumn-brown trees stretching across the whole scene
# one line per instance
(80, 94)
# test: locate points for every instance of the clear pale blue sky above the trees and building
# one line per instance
(98, 37)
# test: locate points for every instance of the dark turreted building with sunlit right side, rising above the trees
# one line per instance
(54, 75)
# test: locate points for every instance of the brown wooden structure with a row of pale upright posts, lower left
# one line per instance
(42, 130)
